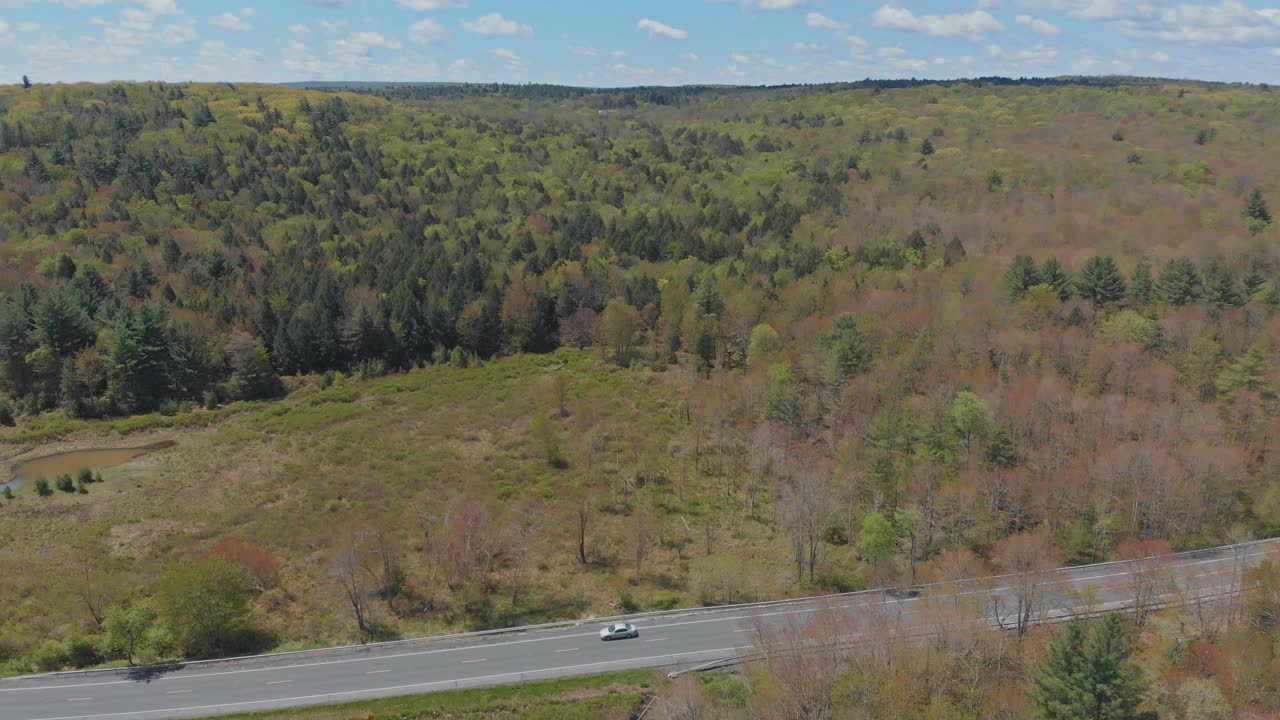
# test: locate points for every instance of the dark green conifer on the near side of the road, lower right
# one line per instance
(1089, 677)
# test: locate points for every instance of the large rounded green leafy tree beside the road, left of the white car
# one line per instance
(207, 607)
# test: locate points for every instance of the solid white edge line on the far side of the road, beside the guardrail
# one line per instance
(1082, 581)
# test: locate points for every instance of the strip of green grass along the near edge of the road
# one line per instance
(615, 696)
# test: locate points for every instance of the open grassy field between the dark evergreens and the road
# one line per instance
(412, 457)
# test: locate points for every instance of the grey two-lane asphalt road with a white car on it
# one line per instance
(673, 641)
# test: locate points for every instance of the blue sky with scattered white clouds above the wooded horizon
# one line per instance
(628, 43)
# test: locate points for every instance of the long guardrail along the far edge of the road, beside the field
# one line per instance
(674, 613)
